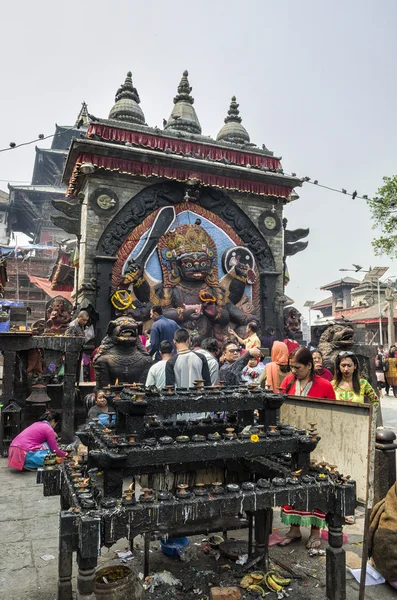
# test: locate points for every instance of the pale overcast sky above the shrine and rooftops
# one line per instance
(315, 80)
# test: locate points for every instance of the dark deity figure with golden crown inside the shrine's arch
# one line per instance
(190, 292)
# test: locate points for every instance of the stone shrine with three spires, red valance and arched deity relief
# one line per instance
(173, 217)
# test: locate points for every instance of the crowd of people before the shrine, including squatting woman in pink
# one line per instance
(180, 358)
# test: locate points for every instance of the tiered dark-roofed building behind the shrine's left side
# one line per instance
(29, 209)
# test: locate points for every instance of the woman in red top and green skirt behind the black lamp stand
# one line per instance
(304, 382)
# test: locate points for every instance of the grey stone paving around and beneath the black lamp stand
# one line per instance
(29, 530)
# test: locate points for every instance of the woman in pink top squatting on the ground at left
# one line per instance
(28, 449)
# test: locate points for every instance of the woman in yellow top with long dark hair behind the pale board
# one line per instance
(348, 384)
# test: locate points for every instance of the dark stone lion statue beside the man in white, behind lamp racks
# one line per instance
(121, 355)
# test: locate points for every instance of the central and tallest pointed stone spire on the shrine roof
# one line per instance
(183, 116)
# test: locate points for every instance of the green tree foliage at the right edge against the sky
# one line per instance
(384, 212)
